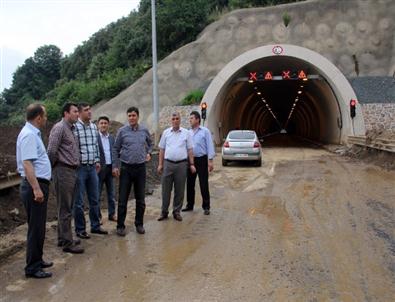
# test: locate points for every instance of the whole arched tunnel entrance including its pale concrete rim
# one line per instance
(282, 89)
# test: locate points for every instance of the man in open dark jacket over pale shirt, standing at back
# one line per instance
(106, 143)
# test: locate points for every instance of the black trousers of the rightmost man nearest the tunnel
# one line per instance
(201, 165)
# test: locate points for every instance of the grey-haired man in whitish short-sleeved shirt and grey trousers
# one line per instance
(175, 155)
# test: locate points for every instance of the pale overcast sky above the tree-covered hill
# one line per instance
(26, 25)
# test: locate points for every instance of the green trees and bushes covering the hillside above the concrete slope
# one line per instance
(113, 58)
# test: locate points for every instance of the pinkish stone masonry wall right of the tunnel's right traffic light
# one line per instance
(379, 116)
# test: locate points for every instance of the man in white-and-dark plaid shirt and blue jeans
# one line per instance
(87, 180)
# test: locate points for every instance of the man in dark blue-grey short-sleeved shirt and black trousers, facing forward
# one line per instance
(132, 149)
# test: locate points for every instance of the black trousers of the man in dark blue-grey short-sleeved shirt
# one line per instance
(131, 175)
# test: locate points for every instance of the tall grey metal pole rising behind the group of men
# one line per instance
(155, 75)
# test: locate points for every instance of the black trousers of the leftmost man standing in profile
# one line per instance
(36, 218)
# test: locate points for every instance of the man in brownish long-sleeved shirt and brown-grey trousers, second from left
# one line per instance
(63, 151)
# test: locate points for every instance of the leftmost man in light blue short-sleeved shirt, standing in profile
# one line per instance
(35, 168)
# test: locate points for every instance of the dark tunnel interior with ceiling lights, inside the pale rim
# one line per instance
(304, 108)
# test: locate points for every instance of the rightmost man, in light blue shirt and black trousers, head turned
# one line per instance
(203, 152)
